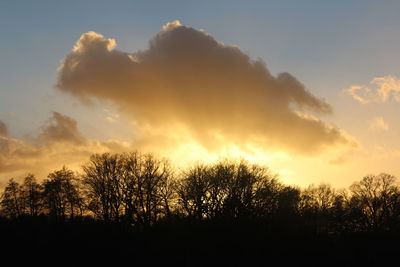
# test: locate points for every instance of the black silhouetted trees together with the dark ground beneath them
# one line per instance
(227, 213)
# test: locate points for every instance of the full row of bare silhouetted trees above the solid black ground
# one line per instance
(141, 190)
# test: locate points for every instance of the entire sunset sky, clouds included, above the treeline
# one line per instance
(310, 89)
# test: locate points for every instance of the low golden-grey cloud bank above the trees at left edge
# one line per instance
(59, 142)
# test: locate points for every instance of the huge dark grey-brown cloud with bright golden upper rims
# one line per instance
(187, 82)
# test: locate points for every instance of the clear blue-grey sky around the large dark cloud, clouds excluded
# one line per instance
(328, 45)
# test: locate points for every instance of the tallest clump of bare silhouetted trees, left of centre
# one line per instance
(136, 187)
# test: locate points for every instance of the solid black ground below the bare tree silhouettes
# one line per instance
(187, 243)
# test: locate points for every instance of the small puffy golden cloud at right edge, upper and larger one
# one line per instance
(383, 89)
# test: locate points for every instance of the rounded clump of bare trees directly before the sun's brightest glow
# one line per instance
(230, 190)
